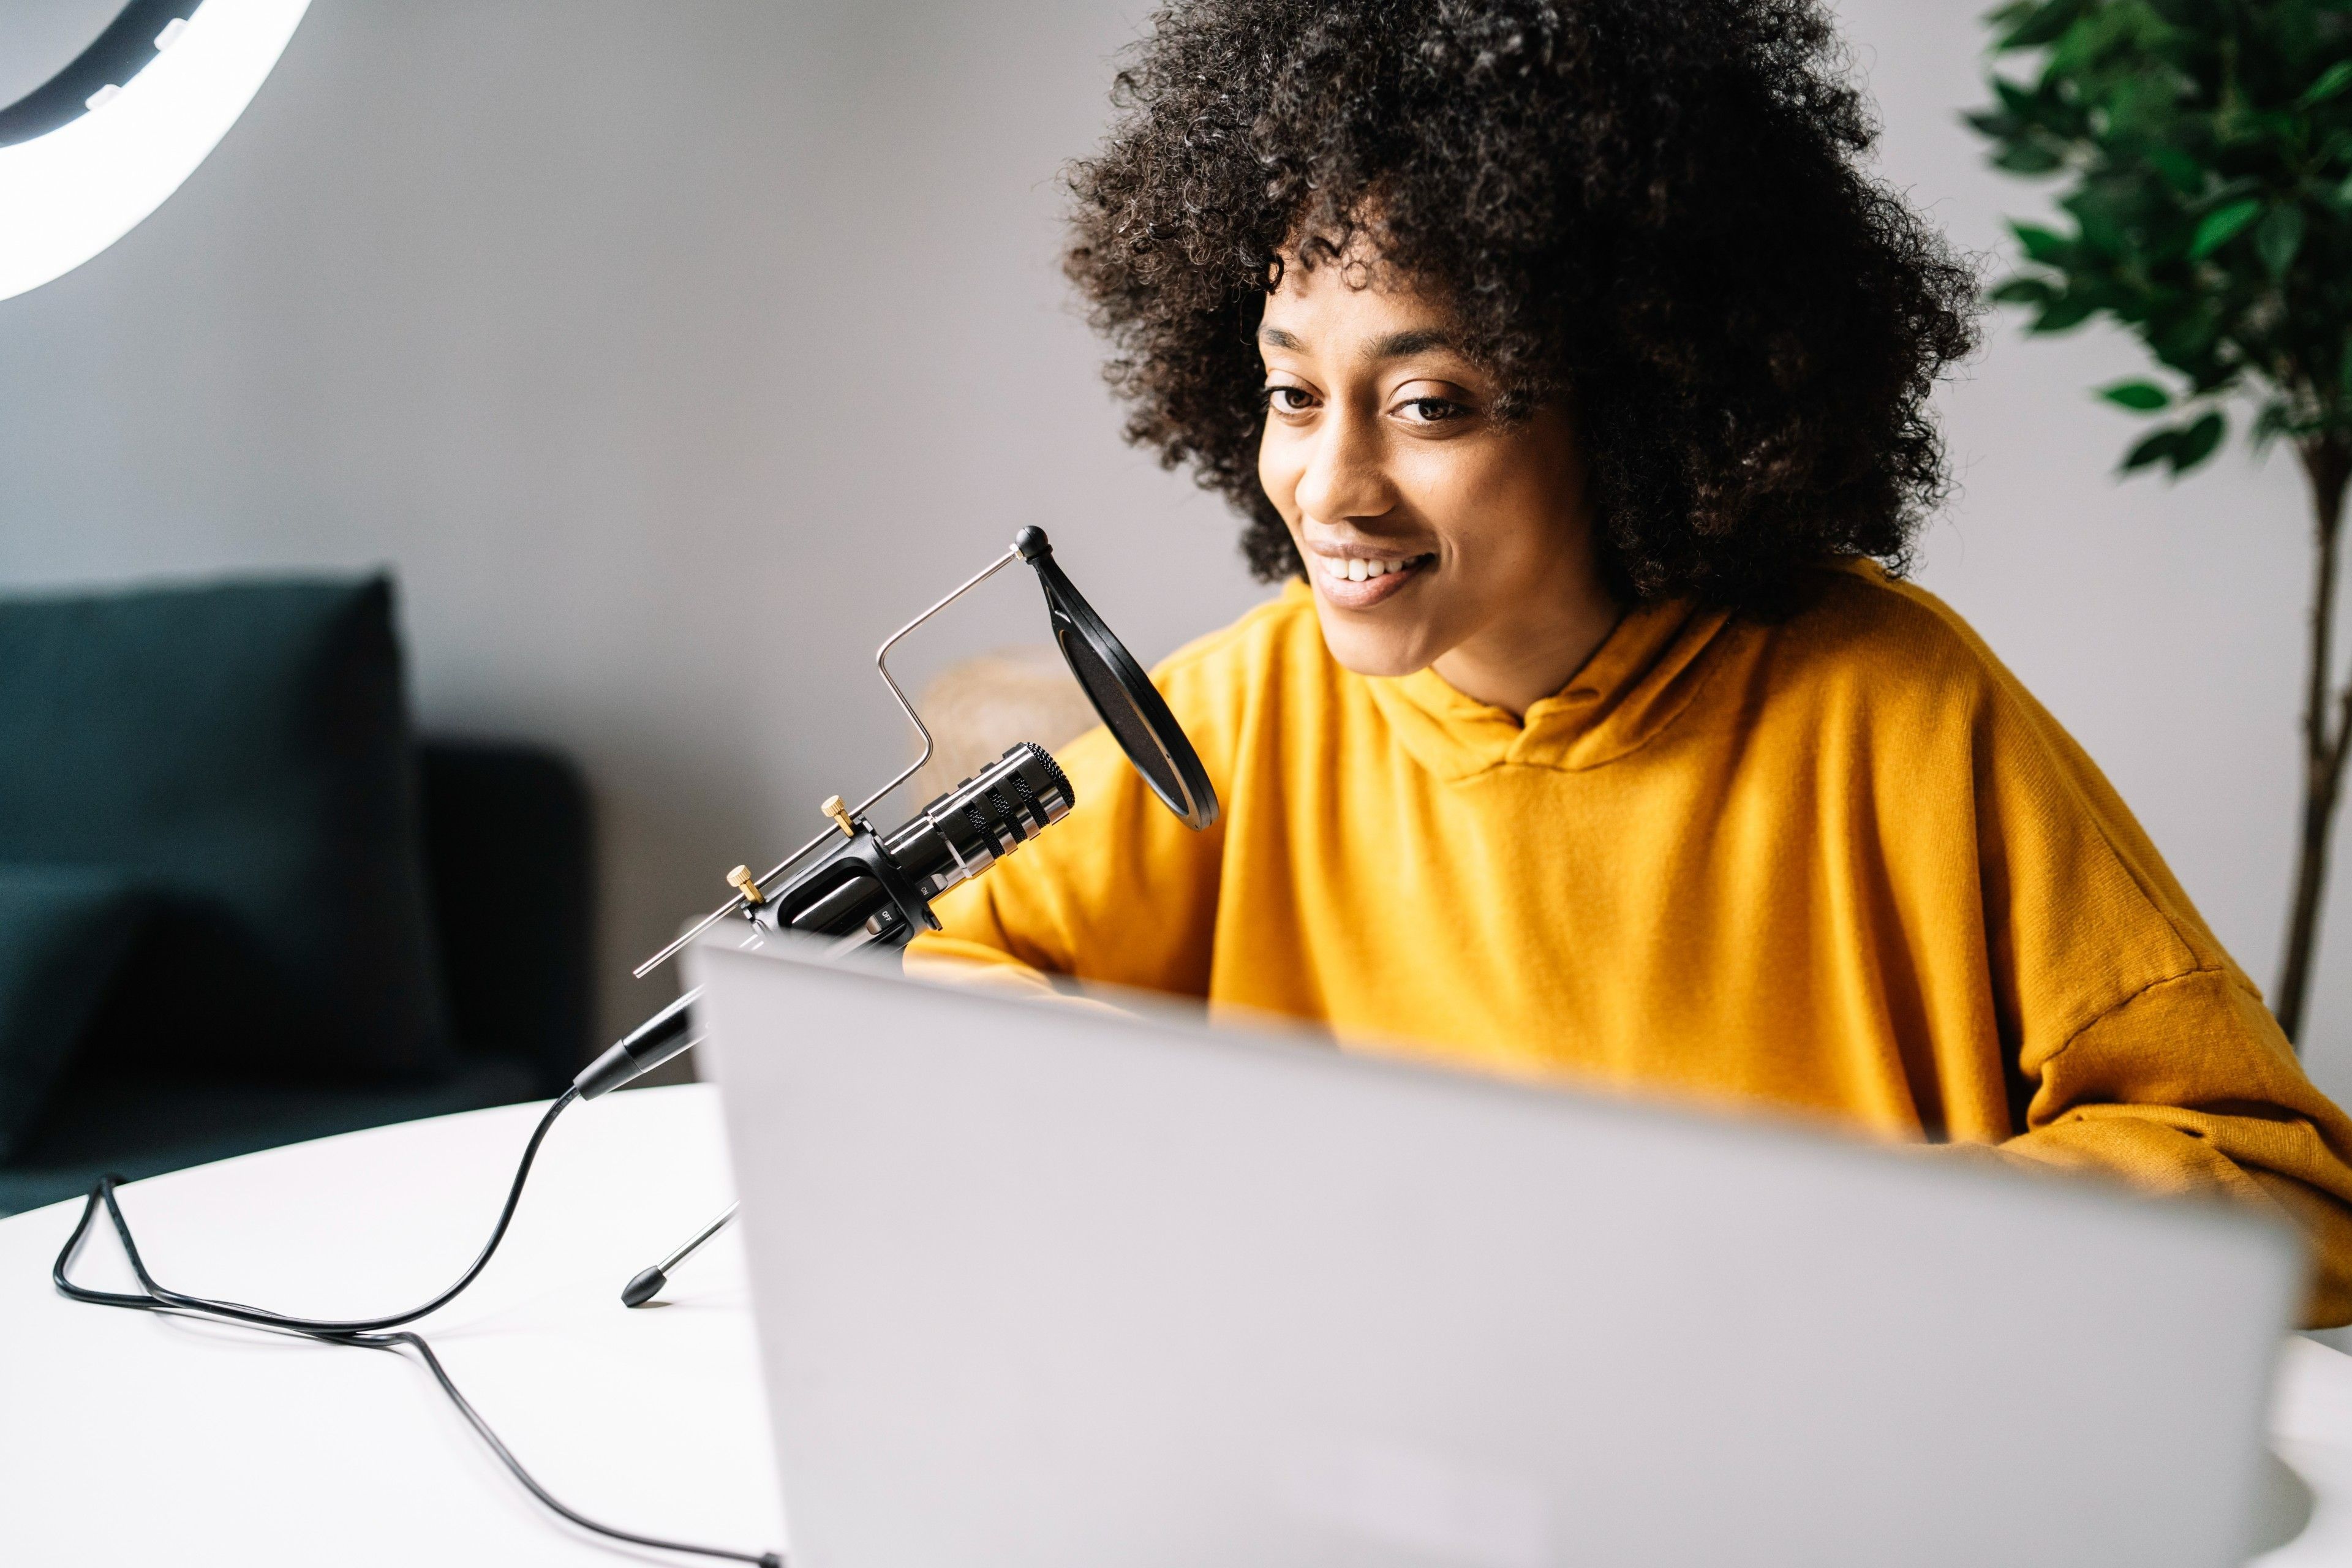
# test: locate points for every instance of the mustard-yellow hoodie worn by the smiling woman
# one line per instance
(1843, 866)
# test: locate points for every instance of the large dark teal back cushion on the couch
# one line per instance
(243, 753)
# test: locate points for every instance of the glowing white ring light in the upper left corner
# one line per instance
(100, 147)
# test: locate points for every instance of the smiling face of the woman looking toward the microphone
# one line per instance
(1434, 532)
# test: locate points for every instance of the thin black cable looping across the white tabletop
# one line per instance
(363, 1334)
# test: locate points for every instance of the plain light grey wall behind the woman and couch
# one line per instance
(674, 354)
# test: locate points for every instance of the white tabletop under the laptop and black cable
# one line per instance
(145, 1440)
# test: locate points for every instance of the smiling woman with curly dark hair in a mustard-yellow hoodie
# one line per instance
(1575, 380)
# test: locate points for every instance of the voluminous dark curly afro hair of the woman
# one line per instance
(1645, 206)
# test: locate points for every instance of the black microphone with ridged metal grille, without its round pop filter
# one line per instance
(874, 887)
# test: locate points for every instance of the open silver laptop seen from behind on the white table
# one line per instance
(1050, 1287)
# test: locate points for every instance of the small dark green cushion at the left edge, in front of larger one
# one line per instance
(62, 939)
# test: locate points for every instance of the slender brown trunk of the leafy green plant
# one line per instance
(2327, 725)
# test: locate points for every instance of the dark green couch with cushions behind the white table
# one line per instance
(295, 920)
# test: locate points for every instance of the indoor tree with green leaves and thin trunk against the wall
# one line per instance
(2203, 154)
